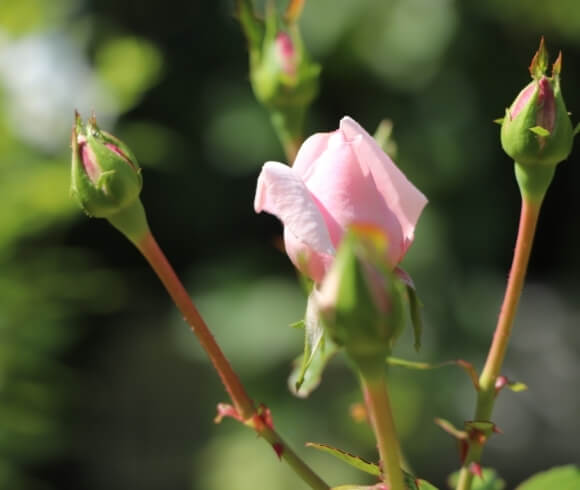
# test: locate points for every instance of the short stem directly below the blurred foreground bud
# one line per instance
(374, 385)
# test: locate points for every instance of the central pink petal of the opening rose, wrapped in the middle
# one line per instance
(346, 195)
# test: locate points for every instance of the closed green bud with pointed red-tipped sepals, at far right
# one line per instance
(536, 129)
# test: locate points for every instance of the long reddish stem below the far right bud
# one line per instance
(487, 391)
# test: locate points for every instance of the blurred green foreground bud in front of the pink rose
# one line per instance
(361, 301)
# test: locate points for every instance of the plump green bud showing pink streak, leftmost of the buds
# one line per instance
(106, 178)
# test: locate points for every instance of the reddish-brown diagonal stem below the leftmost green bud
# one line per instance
(148, 246)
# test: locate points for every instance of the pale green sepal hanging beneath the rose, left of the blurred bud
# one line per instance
(318, 350)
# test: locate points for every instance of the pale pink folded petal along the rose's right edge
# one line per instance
(401, 196)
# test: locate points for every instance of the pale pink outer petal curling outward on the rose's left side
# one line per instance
(282, 193)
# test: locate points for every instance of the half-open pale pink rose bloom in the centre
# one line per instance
(338, 179)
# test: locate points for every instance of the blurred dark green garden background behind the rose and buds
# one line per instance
(101, 384)
